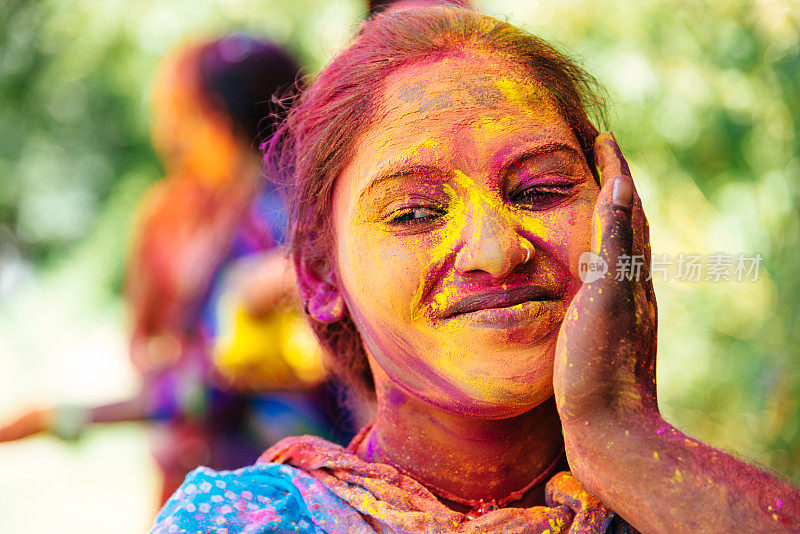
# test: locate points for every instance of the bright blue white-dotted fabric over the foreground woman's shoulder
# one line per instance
(221, 502)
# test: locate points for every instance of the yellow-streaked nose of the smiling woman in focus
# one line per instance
(491, 242)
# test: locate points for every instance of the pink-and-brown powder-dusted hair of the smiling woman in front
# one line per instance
(319, 133)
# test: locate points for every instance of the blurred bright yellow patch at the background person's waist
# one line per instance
(274, 352)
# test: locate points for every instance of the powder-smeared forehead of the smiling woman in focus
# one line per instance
(458, 111)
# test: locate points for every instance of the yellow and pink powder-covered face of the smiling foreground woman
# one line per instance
(467, 164)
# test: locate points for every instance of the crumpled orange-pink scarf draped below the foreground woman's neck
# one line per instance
(390, 501)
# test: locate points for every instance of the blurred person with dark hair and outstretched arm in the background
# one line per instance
(227, 365)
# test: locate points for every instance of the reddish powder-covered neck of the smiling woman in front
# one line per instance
(463, 456)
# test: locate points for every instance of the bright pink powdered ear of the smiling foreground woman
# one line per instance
(319, 289)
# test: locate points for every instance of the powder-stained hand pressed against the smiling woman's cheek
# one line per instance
(605, 355)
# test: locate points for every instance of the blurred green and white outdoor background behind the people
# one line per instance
(704, 99)
